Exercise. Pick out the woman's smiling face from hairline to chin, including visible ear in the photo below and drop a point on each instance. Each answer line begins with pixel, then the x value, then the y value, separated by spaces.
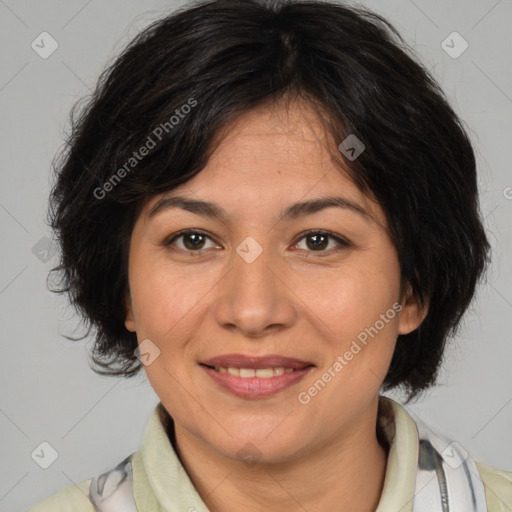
pixel 260 281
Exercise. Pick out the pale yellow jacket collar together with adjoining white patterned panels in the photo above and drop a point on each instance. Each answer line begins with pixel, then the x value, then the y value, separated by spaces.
pixel 421 468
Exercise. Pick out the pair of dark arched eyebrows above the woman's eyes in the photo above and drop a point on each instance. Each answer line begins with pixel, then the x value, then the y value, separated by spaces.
pixel 291 212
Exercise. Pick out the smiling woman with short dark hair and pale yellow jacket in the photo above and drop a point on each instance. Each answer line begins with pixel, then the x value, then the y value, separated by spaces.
pixel 272 209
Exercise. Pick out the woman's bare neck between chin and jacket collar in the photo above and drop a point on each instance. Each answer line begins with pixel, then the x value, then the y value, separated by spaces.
pixel 344 473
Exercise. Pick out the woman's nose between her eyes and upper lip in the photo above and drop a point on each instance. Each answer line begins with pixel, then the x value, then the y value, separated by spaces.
pixel 255 297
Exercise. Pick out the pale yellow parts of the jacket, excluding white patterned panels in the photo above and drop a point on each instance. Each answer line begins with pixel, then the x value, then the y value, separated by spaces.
pixel 161 484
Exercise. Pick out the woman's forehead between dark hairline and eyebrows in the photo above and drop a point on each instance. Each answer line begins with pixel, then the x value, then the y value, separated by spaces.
pixel 276 154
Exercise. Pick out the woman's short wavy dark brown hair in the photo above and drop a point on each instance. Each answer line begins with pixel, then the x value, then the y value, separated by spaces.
pixel 222 58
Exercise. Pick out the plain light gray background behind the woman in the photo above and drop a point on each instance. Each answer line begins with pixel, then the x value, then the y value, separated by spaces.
pixel 49 393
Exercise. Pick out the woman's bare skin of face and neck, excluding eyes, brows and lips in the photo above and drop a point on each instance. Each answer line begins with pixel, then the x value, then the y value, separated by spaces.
pixel 294 300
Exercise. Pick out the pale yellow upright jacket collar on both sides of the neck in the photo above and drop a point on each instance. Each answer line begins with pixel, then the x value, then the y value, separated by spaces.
pixel 161 481
